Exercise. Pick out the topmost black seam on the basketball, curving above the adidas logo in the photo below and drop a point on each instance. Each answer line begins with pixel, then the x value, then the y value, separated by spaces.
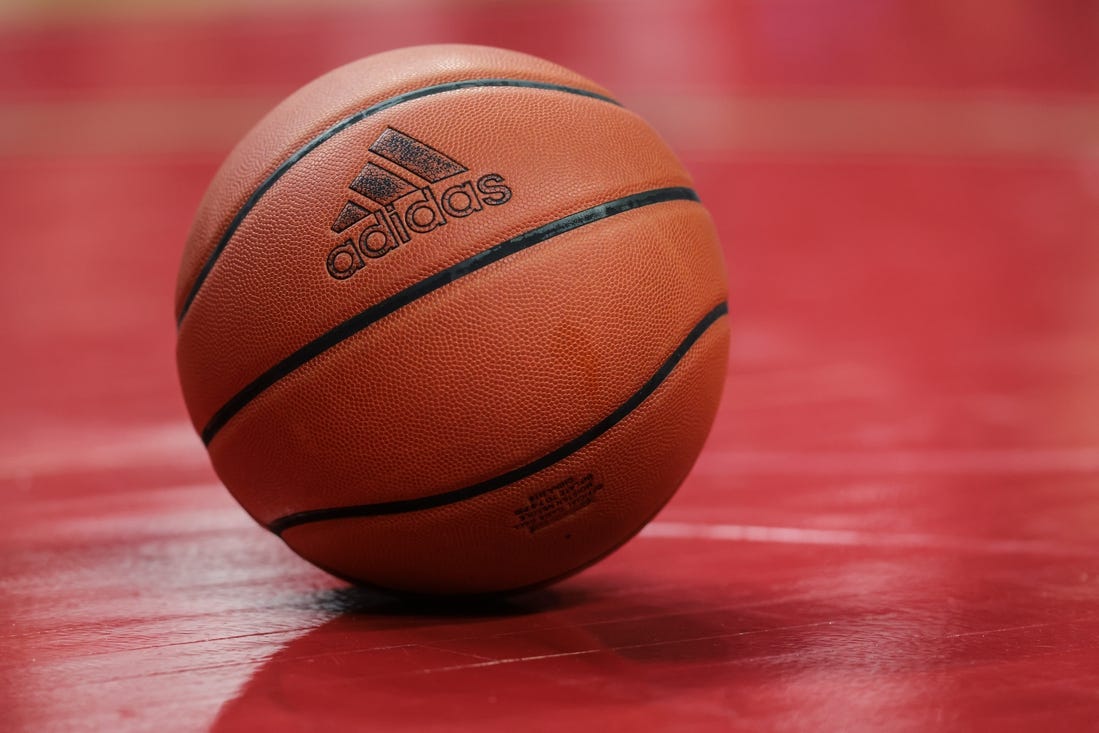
pixel 343 125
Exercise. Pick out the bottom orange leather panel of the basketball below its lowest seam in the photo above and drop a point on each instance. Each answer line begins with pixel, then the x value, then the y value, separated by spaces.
pixel 475 547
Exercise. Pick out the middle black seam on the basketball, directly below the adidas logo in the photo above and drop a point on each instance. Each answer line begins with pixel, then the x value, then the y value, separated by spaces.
pixel 430 284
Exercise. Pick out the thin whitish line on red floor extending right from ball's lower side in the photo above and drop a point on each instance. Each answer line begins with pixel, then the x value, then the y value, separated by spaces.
pixel 860 539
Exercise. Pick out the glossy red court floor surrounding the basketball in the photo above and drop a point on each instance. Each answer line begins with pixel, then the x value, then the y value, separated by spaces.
pixel 894 527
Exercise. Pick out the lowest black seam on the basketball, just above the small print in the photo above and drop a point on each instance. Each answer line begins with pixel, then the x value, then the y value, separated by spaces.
pixel 284 524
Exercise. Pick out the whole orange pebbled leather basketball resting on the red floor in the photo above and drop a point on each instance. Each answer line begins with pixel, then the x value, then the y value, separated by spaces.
pixel 451 321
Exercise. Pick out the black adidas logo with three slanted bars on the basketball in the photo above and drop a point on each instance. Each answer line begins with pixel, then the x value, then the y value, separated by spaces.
pixel 406 198
